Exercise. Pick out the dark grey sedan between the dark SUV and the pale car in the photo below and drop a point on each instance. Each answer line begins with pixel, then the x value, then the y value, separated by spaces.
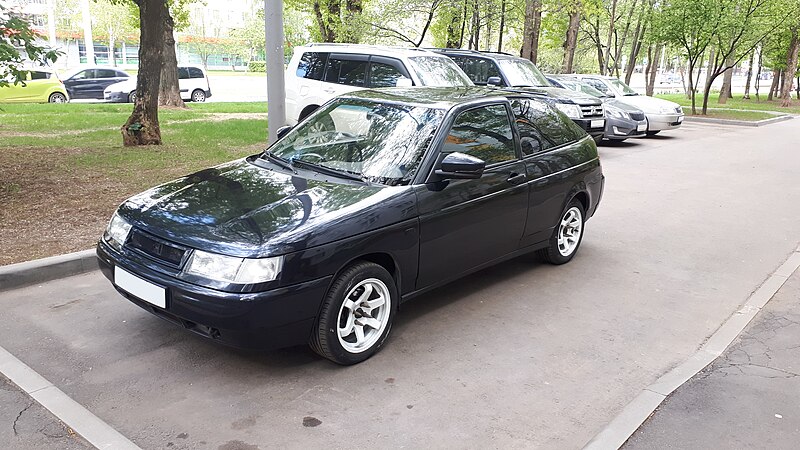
pixel 623 121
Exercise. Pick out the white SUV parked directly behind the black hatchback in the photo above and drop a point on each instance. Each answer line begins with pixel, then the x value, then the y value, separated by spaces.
pixel 320 72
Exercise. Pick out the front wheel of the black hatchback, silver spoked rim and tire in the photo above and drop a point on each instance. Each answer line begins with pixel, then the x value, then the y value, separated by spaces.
pixel 356 315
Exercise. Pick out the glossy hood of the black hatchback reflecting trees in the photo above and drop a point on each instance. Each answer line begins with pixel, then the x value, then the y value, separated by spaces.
pixel 244 210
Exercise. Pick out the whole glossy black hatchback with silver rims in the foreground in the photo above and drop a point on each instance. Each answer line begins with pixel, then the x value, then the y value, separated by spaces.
pixel 375 198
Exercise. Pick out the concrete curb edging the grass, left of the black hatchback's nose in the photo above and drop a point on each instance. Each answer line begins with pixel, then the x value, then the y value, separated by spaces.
pixel 46 269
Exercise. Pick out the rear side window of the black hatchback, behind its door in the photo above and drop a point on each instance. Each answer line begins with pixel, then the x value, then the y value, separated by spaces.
pixel 540 128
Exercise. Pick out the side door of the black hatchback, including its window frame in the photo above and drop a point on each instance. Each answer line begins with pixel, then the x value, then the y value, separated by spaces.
pixel 465 224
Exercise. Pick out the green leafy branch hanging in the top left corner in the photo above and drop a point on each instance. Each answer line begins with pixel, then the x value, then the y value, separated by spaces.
pixel 16 34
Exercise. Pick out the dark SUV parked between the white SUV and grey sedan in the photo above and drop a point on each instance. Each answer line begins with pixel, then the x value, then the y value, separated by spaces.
pixel 501 69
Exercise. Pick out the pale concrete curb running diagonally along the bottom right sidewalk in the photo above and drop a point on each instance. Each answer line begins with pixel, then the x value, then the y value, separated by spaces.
pixel 635 413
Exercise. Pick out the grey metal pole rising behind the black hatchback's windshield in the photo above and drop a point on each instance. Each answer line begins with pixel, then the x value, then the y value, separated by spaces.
pixel 276 92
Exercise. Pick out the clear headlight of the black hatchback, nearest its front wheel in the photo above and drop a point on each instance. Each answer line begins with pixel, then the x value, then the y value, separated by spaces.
pixel 233 270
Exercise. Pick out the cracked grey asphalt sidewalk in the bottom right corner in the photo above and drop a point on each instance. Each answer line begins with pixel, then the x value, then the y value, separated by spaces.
pixel 748 398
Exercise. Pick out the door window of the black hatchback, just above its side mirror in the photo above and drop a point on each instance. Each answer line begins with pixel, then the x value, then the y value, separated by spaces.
pixel 484 133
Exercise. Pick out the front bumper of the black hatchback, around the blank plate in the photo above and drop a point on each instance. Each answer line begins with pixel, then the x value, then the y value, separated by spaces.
pixel 276 318
